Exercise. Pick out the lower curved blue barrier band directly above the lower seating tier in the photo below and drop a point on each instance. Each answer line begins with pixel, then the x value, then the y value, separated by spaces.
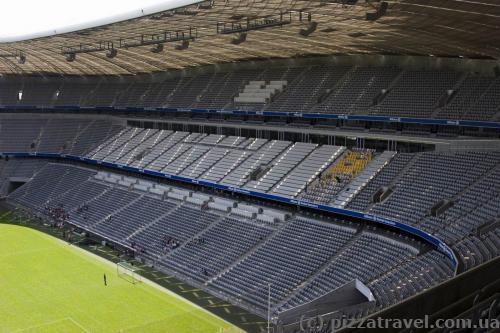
pixel 434 241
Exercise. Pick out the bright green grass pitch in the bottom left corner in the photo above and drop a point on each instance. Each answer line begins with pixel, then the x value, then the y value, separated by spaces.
pixel 47 285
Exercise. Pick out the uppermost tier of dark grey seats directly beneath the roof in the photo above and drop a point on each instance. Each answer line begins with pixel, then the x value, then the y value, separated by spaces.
pixel 431 93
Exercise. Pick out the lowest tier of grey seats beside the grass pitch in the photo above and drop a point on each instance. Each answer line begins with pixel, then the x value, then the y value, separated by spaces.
pixel 229 248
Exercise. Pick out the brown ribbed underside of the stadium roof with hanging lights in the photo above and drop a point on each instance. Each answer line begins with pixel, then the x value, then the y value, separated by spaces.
pixel 223 31
